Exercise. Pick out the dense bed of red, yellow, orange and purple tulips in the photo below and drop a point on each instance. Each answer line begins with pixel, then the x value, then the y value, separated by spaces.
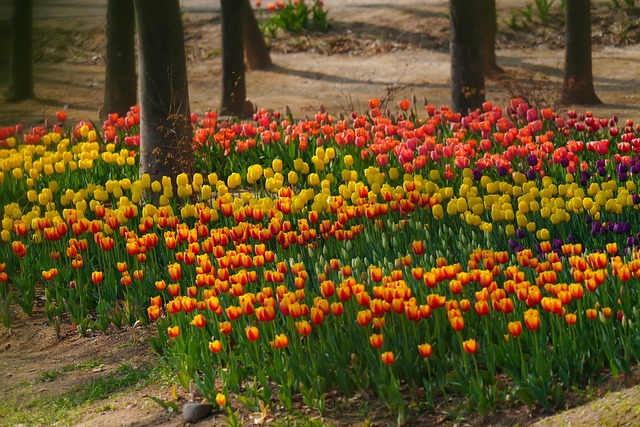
pixel 409 255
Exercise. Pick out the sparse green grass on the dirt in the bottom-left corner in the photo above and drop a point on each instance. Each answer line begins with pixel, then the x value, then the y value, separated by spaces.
pixel 59 409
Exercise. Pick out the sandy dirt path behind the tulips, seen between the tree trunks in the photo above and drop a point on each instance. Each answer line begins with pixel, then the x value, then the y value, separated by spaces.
pixel 304 80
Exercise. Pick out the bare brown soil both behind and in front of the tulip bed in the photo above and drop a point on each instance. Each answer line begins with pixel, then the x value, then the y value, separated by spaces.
pixel 389 49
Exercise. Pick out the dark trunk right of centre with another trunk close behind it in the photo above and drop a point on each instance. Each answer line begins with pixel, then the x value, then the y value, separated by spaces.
pixel 467 72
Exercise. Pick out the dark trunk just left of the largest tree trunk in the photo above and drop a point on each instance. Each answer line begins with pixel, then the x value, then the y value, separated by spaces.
pixel 120 82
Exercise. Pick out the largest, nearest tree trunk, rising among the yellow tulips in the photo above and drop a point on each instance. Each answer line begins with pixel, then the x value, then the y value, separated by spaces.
pixel 165 124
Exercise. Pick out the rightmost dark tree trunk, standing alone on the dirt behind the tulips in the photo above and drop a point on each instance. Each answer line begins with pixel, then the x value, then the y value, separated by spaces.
pixel 578 75
